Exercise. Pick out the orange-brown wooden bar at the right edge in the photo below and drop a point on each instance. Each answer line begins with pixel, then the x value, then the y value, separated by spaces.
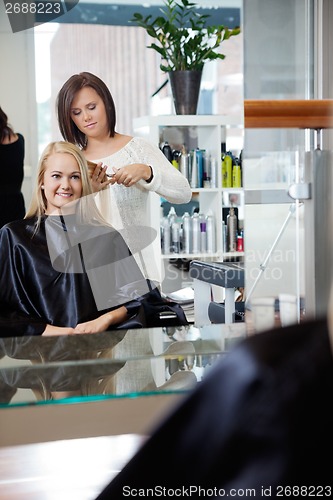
pixel 313 114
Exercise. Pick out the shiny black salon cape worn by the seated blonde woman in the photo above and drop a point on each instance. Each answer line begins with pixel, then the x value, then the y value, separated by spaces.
pixel 35 291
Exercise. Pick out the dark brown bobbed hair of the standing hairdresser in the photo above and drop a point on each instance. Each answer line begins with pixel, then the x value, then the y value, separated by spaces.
pixel 65 98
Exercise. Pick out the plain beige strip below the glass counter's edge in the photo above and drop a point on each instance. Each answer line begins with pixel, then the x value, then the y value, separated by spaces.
pixel 107 417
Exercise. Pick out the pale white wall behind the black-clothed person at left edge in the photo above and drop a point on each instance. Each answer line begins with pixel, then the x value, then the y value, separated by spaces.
pixel 17 90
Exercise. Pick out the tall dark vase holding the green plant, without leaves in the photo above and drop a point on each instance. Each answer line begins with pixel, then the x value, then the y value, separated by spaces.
pixel 185 87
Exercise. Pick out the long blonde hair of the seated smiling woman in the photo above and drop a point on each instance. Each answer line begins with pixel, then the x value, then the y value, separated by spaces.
pixel 87 207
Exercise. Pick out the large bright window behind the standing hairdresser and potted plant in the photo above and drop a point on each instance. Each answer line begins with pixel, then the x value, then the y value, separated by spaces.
pixel 117 53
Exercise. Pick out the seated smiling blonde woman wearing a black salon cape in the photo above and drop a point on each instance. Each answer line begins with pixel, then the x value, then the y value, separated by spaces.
pixel 63 270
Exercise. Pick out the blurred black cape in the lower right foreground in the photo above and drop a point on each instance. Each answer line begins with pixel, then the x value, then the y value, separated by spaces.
pixel 260 421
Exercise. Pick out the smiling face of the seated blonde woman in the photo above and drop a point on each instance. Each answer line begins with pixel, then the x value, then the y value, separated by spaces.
pixel 61 181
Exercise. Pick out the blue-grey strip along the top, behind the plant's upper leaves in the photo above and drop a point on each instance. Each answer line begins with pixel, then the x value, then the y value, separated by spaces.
pixel 226 12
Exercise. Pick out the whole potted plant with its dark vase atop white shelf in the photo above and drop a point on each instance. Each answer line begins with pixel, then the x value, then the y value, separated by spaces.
pixel 185 41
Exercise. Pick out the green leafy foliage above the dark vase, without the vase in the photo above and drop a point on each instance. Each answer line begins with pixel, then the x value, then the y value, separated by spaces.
pixel 183 38
